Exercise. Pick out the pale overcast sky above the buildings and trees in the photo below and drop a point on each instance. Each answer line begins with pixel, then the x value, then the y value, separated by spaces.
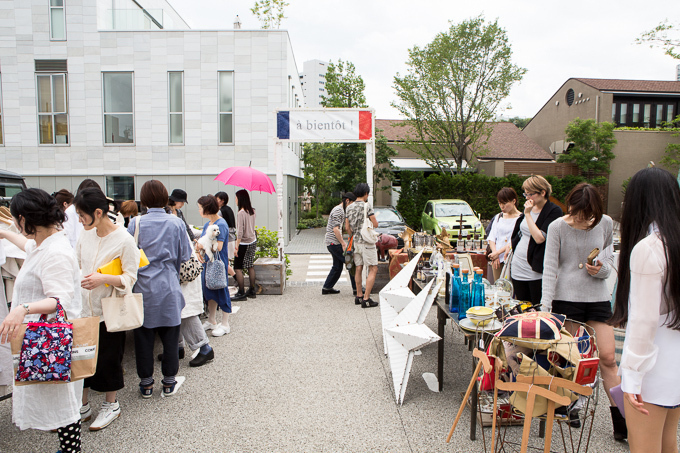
pixel 593 39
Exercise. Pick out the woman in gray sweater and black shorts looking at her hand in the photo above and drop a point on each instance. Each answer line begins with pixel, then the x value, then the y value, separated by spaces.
pixel 578 290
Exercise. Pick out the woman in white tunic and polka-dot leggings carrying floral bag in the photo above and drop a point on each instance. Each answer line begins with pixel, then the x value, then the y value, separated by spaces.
pixel 50 272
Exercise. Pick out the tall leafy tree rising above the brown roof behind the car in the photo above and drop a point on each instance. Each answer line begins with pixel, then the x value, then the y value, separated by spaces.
pixel 452 90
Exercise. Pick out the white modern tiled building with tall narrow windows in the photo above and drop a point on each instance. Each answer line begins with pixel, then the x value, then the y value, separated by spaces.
pixel 123 91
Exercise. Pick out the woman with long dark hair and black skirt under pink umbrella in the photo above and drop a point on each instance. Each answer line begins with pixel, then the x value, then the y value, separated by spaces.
pixel 246 245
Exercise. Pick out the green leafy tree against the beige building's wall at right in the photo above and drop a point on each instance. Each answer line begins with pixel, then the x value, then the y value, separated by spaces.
pixel 593 144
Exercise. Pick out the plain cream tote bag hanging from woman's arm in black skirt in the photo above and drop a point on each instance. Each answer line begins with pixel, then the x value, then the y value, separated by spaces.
pixel 127 312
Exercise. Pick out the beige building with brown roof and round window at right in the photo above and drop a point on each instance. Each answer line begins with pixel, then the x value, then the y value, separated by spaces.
pixel 628 103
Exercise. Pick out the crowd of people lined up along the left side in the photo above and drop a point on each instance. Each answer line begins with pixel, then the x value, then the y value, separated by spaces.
pixel 67 238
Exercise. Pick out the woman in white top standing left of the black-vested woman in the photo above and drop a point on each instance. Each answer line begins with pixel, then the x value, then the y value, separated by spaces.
pixel 501 230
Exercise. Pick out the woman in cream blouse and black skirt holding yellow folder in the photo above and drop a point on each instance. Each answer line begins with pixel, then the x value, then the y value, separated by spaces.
pixel 100 243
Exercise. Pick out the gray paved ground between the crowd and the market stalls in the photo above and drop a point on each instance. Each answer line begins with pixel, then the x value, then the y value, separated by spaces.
pixel 299 372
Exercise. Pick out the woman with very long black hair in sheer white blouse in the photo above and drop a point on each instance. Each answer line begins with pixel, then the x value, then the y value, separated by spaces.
pixel 648 303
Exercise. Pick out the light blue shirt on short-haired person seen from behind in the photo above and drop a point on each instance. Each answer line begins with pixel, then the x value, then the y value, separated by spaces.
pixel 163 238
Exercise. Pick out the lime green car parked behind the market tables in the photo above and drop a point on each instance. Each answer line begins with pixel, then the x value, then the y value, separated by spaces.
pixel 440 214
